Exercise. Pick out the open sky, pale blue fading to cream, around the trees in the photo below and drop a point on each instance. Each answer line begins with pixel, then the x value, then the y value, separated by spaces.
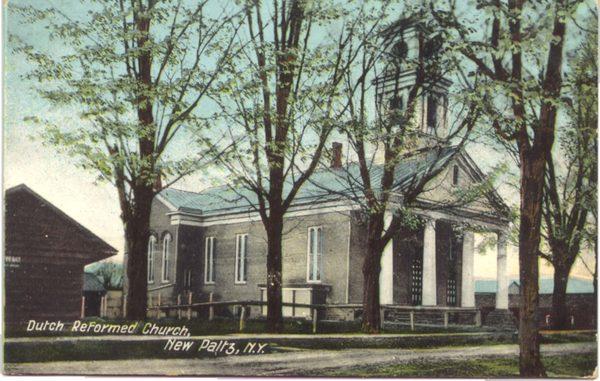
pixel 75 191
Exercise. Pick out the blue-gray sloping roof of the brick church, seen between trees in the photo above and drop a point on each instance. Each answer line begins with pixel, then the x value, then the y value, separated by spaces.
pixel 325 184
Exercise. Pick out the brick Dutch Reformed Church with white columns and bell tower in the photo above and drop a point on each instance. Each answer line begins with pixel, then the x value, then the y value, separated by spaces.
pixel 212 243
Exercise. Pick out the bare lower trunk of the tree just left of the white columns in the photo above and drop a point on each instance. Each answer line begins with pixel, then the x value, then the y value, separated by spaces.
pixel 371 322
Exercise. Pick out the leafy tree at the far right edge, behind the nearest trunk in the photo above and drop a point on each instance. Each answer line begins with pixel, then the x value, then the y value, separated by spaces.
pixel 570 189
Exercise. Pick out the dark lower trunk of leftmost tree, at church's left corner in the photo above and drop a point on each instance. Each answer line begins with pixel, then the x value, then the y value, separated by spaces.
pixel 136 242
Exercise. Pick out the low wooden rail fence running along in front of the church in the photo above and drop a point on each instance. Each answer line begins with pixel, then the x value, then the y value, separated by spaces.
pixel 186 309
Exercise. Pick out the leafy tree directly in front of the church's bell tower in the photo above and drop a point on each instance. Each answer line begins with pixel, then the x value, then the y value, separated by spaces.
pixel 401 141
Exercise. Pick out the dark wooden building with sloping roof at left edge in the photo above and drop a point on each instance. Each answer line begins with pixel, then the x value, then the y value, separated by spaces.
pixel 45 255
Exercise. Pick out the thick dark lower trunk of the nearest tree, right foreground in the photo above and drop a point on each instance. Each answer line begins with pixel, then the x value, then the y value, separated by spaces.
pixel 532 181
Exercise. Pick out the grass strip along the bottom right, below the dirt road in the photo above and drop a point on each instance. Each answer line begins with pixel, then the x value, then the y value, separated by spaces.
pixel 567 366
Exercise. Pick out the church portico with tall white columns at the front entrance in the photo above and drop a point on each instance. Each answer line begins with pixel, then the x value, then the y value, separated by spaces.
pixel 434 264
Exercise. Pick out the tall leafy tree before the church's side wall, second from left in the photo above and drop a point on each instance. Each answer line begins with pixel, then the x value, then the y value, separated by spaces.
pixel 278 106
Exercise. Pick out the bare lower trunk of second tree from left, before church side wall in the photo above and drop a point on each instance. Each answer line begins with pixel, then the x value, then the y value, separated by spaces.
pixel 274 278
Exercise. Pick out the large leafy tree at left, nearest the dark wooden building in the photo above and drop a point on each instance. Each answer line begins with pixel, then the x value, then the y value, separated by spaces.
pixel 134 73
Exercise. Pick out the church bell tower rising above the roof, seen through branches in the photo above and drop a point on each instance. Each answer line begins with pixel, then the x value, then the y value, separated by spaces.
pixel 412 49
